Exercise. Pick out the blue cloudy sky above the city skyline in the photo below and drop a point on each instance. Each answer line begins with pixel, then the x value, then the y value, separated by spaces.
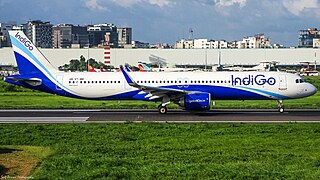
pixel 167 21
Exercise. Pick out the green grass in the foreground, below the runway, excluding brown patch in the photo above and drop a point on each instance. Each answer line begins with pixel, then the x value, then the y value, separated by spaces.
pixel 172 151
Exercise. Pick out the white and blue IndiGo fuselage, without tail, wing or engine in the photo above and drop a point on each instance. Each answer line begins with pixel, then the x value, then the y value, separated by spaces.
pixel 272 85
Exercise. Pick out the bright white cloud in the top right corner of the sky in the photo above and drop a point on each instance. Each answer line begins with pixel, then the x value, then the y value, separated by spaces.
pixel 296 7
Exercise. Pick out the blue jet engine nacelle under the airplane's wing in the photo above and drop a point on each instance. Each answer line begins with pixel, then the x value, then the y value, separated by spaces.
pixel 196 101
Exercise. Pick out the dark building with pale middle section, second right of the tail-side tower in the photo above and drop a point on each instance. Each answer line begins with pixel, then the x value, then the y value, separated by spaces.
pixel 103 35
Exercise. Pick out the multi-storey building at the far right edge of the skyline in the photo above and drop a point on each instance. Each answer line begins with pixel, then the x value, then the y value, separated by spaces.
pixel 309 38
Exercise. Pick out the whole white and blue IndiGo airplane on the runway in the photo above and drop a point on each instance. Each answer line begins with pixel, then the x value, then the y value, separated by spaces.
pixel 193 91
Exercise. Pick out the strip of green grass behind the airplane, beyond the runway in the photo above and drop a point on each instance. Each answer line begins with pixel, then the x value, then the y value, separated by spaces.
pixel 13 97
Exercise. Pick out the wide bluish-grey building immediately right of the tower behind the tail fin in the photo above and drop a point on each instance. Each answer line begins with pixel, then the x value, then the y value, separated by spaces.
pixel 69 36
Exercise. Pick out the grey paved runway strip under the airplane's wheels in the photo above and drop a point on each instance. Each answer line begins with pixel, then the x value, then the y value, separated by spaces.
pixel 173 116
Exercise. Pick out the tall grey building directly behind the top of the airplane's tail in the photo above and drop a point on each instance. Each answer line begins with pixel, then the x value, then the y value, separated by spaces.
pixel 40 33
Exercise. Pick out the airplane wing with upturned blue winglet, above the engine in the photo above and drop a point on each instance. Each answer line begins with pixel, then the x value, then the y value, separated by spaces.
pixel 155 92
